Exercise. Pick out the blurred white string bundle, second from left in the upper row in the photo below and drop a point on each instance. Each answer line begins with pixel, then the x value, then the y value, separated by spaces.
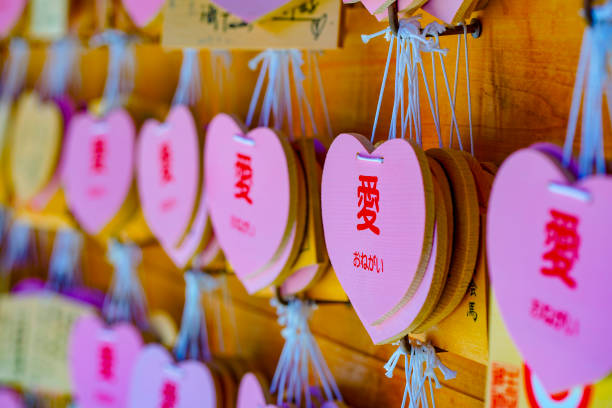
pixel 61 67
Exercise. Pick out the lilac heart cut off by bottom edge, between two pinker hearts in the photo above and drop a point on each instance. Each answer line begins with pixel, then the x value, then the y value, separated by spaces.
pixel 158 382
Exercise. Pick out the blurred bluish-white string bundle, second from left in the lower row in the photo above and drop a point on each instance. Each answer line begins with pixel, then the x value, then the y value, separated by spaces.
pixel 64 264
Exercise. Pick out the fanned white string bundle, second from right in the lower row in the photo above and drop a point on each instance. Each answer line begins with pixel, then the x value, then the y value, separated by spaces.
pixel 291 378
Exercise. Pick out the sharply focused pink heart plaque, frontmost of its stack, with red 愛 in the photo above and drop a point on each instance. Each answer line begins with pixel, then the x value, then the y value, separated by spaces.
pixel 378 220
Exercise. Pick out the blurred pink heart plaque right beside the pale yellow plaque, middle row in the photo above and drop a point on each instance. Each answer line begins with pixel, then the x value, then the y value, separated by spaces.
pixel 98 171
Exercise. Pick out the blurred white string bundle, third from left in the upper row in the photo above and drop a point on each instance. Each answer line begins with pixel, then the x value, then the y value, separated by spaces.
pixel 120 76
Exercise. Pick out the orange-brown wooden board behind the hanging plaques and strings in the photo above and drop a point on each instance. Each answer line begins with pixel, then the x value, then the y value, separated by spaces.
pixel 522 72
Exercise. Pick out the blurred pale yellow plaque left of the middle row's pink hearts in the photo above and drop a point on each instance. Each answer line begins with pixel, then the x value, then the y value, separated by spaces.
pixel 36 144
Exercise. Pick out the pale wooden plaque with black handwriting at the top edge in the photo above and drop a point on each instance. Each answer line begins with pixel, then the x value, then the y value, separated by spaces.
pixel 303 24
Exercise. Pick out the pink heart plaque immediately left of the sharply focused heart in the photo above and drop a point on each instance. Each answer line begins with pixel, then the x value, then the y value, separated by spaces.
pixel 250 180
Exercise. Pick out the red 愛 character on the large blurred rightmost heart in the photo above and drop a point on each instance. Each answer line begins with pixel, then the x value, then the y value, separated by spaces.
pixel 563 241
